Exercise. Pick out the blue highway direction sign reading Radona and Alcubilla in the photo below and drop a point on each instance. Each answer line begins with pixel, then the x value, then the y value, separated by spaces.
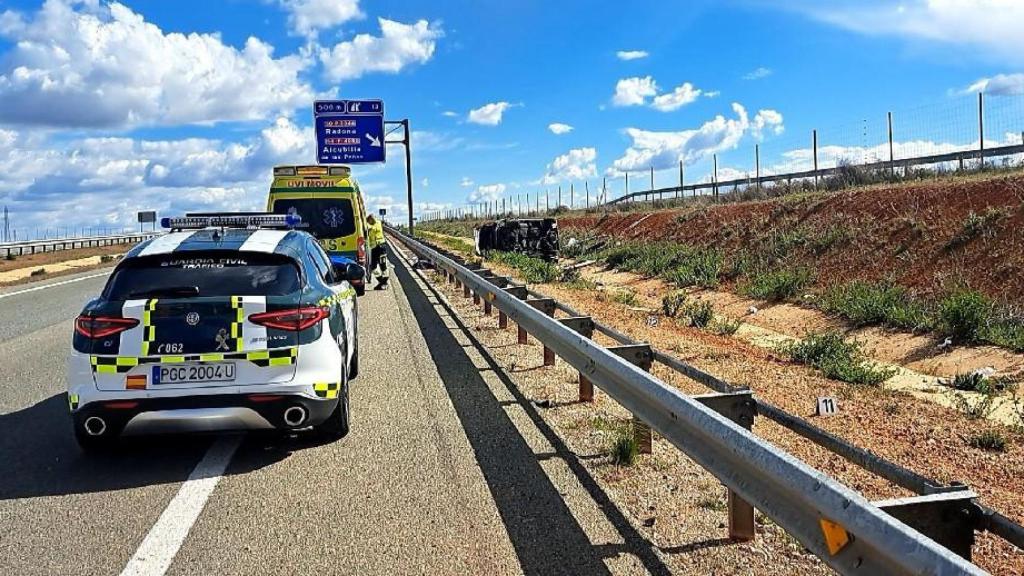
pixel 350 132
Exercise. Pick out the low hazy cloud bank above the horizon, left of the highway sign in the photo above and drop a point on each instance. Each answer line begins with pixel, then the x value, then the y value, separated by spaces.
pixel 107 180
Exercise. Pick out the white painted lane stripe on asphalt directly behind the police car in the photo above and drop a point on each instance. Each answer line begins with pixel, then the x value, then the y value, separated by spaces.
pixel 158 550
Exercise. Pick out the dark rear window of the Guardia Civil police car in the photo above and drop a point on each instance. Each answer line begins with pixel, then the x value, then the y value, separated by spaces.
pixel 205 274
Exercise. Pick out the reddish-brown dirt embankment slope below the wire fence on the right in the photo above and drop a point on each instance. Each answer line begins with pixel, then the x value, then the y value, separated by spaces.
pixel 929 237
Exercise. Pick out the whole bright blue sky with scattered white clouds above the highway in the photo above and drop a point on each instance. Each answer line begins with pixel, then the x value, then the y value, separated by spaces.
pixel 108 108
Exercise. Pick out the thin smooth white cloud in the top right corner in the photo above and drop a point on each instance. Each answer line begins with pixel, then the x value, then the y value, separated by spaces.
pixel 992 27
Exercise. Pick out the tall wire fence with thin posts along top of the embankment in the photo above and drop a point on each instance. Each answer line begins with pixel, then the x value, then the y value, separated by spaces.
pixel 962 134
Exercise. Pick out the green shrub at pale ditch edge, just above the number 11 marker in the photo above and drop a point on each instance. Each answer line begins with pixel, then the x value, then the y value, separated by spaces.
pixel 836 358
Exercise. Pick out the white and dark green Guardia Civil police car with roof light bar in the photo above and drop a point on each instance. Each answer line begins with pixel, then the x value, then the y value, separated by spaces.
pixel 228 322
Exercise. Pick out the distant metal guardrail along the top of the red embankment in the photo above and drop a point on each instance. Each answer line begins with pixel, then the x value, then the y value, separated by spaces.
pixel 659 194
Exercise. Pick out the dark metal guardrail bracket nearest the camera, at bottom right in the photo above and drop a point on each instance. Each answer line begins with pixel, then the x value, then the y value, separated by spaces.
pixel 948 518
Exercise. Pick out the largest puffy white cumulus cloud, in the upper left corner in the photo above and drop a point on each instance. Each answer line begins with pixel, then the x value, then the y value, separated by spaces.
pixel 101 65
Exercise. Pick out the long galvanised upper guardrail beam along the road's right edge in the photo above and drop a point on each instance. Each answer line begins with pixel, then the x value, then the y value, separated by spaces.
pixel 804 502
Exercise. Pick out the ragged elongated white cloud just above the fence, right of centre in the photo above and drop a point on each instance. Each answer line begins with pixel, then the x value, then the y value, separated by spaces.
pixel 666 150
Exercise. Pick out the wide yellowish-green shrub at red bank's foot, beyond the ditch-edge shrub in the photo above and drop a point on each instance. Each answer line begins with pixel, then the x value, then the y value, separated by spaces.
pixel 866 304
